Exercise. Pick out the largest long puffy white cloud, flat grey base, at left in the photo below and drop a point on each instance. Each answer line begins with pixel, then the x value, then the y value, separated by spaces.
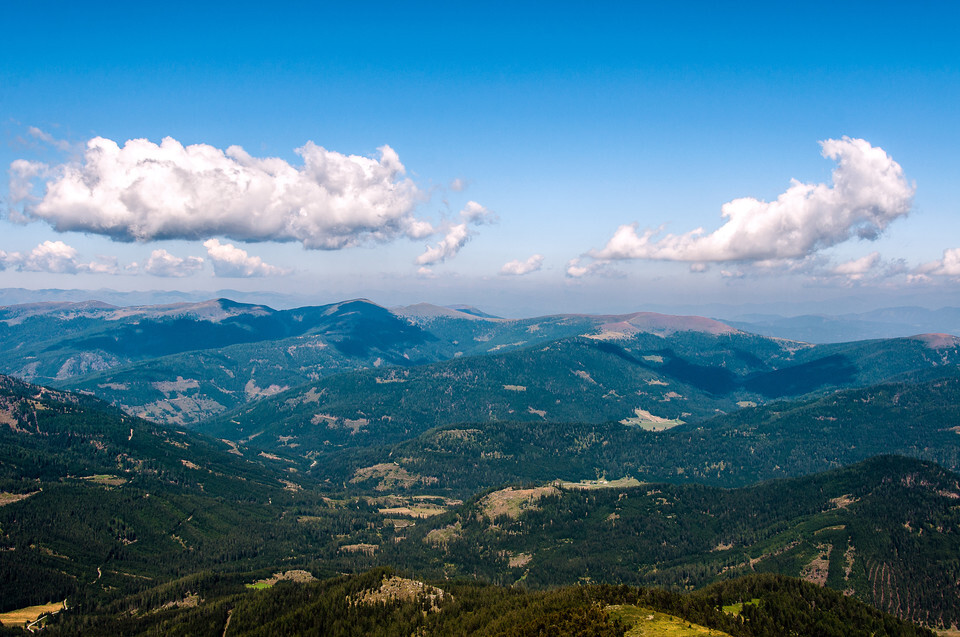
pixel 143 191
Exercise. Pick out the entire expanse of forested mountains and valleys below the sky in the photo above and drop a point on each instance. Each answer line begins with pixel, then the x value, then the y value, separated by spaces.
pixel 162 458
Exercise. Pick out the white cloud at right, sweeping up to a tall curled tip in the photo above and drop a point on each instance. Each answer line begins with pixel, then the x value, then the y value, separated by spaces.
pixel 868 192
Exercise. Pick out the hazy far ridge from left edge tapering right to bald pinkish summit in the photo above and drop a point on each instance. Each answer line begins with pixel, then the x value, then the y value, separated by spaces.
pixel 183 362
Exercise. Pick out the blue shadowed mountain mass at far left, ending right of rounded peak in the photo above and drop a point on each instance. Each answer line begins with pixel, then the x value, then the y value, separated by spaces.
pixel 135 357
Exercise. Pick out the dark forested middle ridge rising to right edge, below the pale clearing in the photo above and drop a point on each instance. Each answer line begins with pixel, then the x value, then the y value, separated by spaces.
pixel 778 440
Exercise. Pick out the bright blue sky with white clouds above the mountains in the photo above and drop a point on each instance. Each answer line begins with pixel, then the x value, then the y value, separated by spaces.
pixel 530 136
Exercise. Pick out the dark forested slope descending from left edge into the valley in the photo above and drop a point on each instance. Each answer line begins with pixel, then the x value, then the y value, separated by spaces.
pixel 95 502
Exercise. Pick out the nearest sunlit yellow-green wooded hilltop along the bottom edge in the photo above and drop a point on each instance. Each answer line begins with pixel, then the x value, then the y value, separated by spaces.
pixel 383 603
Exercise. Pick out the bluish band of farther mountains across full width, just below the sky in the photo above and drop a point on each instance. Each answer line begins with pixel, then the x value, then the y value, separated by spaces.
pixel 187 362
